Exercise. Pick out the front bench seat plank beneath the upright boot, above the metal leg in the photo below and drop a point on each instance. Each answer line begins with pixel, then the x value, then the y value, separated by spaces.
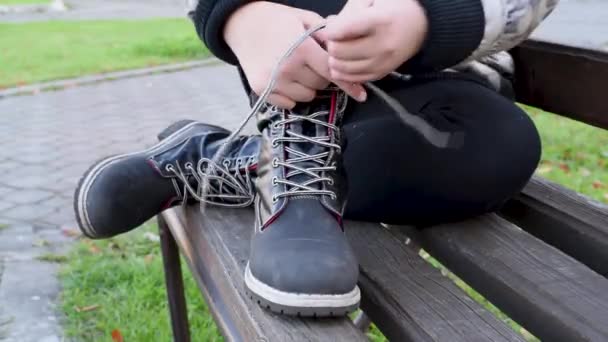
pixel 216 248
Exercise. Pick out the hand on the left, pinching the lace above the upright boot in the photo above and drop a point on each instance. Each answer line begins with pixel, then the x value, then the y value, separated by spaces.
pixel 260 32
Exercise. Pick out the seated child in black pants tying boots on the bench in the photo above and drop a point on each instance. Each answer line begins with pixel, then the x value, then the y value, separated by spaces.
pixel 322 156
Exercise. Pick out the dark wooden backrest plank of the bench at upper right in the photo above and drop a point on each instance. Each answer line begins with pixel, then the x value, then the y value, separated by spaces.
pixel 564 80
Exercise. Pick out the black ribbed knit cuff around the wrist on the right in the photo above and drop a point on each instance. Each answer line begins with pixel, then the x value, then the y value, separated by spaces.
pixel 456 28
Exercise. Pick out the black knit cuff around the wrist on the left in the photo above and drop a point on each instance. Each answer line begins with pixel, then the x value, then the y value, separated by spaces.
pixel 209 19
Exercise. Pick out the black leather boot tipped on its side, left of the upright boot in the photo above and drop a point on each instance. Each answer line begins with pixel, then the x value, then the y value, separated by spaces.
pixel 119 193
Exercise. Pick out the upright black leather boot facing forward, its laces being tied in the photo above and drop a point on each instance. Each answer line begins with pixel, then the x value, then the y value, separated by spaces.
pixel 300 262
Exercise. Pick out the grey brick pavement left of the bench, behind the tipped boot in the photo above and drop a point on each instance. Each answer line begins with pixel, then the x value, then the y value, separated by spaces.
pixel 48 140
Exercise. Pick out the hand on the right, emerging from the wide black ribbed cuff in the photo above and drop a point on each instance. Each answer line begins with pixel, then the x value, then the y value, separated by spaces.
pixel 371 38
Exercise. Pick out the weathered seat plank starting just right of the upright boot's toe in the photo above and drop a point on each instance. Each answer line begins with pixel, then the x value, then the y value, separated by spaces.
pixel 409 300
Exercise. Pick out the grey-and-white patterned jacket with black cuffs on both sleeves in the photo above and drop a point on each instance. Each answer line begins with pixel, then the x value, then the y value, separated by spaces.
pixel 464 35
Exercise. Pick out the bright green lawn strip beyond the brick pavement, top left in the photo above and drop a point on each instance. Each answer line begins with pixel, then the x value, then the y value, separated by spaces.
pixel 42 51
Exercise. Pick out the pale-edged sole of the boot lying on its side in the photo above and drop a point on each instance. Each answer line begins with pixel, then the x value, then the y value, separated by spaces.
pixel 84 184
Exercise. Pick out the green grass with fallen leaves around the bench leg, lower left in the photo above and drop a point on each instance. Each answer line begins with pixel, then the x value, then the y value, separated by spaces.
pixel 118 285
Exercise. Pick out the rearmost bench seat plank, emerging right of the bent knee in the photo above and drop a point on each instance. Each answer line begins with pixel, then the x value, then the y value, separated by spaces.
pixel 565 219
